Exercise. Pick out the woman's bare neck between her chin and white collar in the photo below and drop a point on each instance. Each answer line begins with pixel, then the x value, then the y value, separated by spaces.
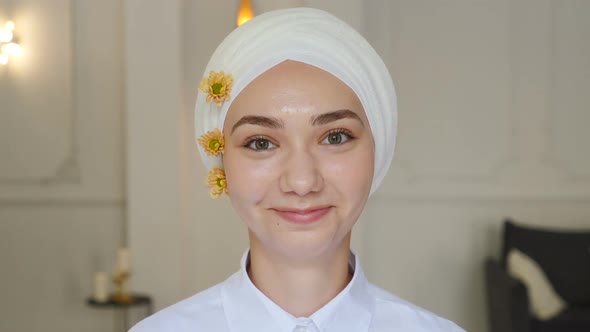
pixel 300 288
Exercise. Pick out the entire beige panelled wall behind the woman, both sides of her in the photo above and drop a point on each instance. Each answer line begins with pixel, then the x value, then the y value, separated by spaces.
pixel 97 148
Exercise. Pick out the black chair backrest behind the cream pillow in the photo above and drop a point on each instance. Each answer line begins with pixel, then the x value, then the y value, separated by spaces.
pixel 564 256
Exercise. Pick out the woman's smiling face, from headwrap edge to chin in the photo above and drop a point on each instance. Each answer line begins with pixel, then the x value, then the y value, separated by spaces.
pixel 299 160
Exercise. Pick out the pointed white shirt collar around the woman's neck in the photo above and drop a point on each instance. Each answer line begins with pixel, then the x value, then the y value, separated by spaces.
pixel 248 309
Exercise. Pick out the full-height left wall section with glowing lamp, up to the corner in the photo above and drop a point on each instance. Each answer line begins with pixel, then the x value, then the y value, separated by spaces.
pixel 61 163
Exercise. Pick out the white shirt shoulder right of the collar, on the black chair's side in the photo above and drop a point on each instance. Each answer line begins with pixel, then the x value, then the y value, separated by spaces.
pixel 391 311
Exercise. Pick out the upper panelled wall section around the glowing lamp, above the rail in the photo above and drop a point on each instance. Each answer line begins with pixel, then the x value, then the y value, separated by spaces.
pixel 63 104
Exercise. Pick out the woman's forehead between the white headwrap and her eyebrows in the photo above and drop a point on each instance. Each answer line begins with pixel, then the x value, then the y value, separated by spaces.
pixel 293 84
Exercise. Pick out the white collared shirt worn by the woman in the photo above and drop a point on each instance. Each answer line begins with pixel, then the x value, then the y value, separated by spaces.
pixel 236 305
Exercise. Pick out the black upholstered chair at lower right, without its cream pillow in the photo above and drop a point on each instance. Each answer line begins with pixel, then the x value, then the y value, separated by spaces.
pixel 565 260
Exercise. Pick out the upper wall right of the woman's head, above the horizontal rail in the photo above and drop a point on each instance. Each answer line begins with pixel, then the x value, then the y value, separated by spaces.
pixel 509 135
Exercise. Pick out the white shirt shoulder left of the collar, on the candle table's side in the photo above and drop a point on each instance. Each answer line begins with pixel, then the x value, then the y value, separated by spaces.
pixel 195 313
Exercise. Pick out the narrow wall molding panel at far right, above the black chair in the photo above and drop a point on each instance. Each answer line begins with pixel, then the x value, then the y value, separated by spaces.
pixel 568 137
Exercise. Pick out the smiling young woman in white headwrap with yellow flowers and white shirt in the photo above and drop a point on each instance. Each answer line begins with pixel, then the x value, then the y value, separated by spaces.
pixel 296 122
